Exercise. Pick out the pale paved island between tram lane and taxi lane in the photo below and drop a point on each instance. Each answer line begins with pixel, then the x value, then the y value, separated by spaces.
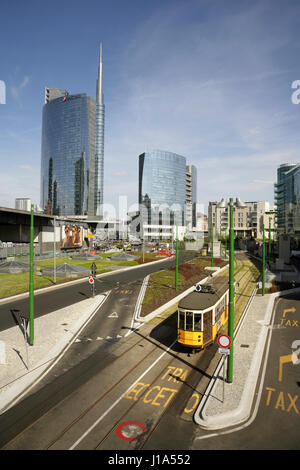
pixel 249 343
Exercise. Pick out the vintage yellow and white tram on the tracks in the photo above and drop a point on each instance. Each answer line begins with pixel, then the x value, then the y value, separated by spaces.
pixel 202 313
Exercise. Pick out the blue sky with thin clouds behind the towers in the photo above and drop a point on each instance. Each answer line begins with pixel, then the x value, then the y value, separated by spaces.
pixel 207 79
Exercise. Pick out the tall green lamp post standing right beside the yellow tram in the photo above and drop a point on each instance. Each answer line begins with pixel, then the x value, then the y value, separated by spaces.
pixel 238 204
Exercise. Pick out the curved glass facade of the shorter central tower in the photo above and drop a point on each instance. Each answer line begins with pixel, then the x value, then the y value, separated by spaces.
pixel 162 188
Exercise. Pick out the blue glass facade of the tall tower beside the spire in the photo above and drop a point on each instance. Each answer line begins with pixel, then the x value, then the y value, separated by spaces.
pixel 68 156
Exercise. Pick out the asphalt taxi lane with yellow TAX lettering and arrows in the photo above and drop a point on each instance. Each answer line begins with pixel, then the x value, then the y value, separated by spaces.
pixel 275 420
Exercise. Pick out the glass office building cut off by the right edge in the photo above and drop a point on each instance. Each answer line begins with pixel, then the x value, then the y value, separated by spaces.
pixel 287 200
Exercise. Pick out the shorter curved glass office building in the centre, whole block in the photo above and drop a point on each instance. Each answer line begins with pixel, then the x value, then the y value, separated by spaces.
pixel 167 194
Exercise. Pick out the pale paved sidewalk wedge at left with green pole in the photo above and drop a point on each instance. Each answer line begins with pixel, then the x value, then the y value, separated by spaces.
pixel 53 334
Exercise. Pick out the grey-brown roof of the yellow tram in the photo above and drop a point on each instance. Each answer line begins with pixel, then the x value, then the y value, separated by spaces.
pixel 202 300
